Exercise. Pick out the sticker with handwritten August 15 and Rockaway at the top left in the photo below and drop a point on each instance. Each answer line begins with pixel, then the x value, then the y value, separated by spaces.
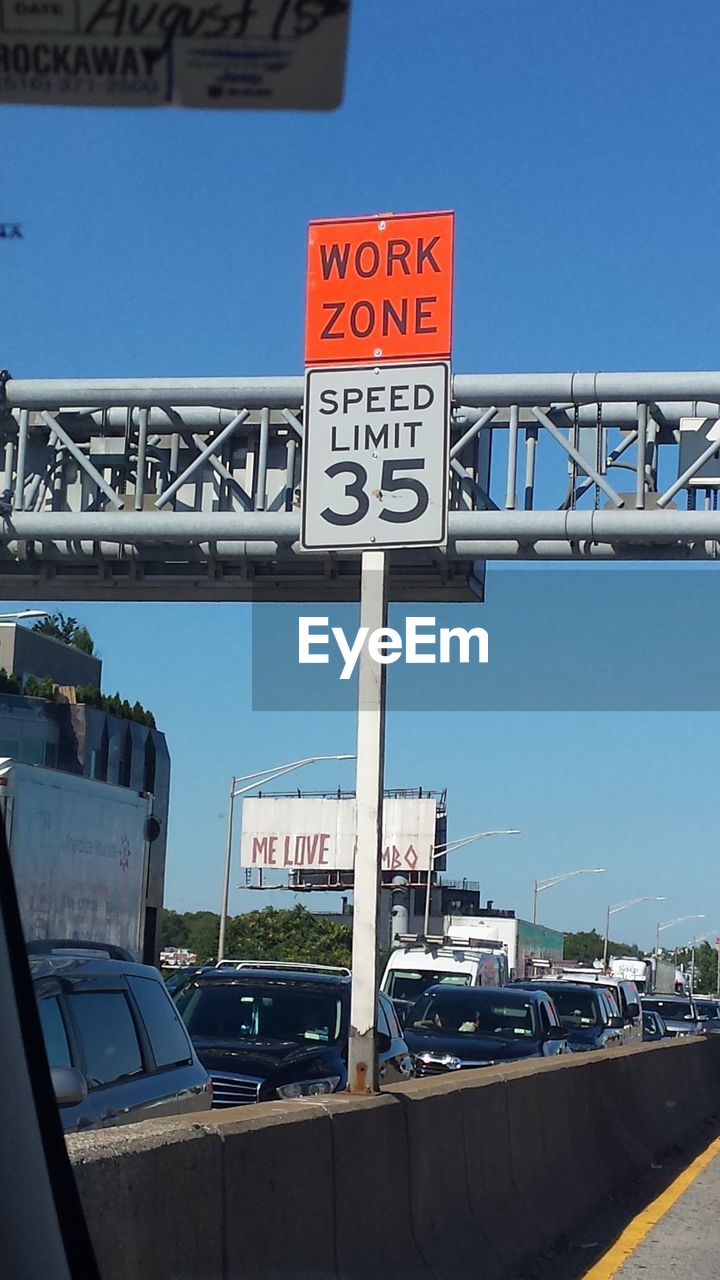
pixel 158 53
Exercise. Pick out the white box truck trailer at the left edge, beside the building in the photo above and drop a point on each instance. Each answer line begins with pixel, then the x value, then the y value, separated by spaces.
pixel 79 851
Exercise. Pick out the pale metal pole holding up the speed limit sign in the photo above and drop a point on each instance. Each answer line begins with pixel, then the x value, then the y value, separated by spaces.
pixel 363 1058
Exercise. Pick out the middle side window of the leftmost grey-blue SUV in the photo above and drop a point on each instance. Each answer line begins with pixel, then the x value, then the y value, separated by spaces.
pixel 108 1035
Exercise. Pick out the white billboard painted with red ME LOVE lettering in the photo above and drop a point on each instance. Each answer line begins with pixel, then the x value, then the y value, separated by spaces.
pixel 308 834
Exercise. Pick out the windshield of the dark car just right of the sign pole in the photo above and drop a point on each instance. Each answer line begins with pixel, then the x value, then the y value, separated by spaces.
pixel 475 1013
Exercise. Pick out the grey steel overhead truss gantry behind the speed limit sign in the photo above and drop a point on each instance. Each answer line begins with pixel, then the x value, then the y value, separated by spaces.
pixel 188 488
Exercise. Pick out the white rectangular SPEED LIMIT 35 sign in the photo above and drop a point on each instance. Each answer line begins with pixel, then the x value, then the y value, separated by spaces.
pixel 376 463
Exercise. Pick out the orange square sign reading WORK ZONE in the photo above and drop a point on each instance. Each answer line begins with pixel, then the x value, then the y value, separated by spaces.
pixel 380 289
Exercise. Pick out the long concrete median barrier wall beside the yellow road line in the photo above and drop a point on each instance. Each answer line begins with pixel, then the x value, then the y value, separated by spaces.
pixel 462 1176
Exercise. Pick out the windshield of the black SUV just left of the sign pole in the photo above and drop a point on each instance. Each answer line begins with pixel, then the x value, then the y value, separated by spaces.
pixel 274 1013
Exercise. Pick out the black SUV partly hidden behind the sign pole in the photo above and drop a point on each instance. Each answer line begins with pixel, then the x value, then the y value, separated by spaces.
pixel 266 1032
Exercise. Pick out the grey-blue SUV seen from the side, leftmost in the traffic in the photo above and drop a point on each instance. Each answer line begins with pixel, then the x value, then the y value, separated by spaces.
pixel 116 1045
